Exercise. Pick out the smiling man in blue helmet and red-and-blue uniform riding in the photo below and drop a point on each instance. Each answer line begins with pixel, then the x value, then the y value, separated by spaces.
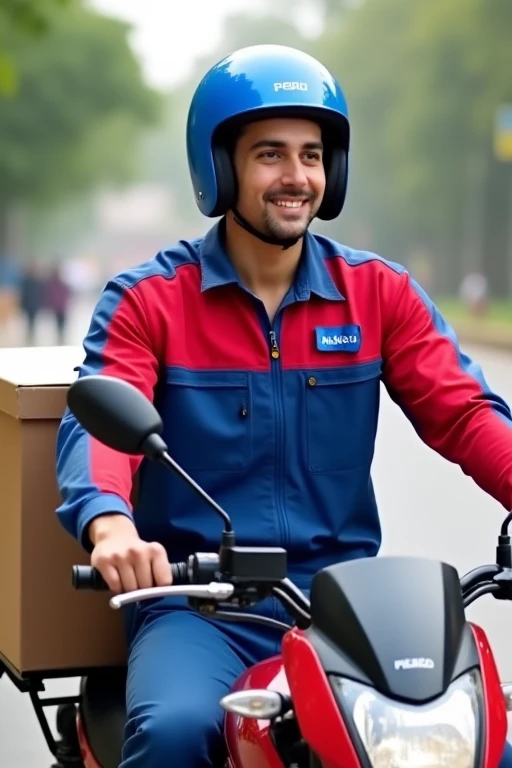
pixel 263 347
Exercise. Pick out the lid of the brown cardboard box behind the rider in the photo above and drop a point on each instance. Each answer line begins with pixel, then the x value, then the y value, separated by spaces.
pixel 34 380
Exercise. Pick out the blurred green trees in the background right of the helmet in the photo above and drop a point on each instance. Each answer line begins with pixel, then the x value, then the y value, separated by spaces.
pixel 423 80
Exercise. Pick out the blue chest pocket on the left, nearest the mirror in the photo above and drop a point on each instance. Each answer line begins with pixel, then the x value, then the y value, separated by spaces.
pixel 207 419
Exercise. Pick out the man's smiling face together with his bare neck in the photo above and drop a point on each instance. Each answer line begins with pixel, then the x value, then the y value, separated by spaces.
pixel 278 164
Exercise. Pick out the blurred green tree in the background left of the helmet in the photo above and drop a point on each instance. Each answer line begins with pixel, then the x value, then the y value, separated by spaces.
pixel 77 111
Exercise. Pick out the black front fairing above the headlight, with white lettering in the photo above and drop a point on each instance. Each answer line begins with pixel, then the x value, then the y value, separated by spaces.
pixel 395 623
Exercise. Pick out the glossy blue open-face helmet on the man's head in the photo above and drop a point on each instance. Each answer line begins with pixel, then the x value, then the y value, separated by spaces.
pixel 259 82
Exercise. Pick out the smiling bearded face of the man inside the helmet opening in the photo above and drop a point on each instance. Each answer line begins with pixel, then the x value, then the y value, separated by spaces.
pixel 280 173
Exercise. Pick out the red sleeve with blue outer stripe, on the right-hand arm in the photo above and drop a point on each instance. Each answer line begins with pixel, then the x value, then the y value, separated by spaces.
pixel 444 393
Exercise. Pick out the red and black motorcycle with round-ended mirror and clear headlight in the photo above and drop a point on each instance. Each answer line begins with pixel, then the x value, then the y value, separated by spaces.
pixel 379 668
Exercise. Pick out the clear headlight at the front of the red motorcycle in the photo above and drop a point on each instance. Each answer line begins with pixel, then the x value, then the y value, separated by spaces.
pixel 444 733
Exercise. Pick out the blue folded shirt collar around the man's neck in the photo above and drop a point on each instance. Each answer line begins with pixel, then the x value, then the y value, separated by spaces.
pixel 312 275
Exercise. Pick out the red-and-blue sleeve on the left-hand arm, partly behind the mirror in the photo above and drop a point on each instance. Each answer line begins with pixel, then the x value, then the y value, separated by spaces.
pixel 94 479
